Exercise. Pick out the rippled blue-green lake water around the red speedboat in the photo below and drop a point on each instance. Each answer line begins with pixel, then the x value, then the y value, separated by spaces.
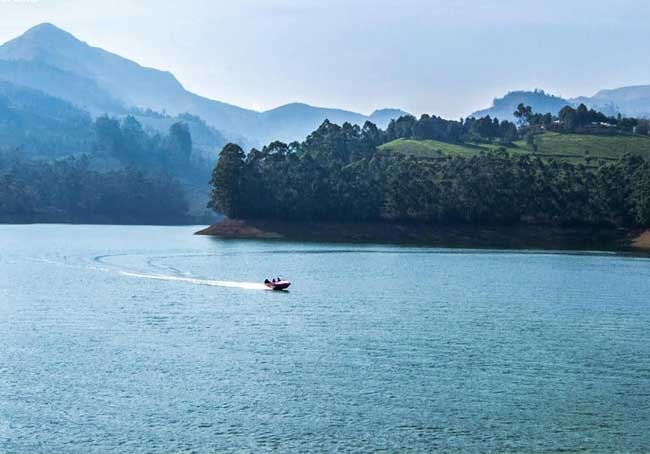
pixel 149 339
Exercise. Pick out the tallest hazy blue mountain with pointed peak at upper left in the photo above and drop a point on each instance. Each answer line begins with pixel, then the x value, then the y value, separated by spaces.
pixel 116 77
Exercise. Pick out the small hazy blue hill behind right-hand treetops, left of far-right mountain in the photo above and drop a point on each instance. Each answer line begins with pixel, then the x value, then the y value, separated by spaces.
pixel 541 102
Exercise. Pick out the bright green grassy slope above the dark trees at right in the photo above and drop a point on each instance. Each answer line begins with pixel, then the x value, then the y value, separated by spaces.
pixel 566 147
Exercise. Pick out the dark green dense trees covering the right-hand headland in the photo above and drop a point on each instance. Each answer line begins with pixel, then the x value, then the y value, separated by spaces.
pixel 338 174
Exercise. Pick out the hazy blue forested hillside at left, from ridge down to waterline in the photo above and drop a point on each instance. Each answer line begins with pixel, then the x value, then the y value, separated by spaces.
pixel 41 131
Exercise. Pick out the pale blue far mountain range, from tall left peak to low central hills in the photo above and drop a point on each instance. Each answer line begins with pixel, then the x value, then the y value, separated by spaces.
pixel 54 61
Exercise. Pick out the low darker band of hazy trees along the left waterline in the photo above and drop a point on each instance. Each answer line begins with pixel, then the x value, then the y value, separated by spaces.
pixel 68 190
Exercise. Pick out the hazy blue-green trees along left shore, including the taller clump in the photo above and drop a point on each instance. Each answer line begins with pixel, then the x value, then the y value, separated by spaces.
pixel 123 174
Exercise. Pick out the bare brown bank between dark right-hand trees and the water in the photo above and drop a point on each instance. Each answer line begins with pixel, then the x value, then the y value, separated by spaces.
pixel 453 236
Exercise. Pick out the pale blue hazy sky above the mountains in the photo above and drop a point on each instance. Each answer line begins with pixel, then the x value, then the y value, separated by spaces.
pixel 448 58
